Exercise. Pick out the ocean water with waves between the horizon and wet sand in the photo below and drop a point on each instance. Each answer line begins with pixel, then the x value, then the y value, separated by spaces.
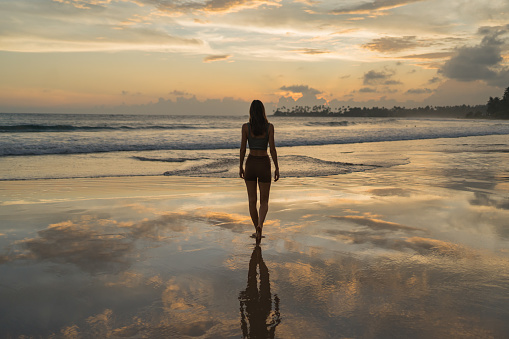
pixel 58 146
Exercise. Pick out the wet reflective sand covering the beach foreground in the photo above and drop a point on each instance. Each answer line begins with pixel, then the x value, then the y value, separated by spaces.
pixel 419 249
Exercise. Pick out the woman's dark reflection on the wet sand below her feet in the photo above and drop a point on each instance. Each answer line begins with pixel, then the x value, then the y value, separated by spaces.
pixel 257 319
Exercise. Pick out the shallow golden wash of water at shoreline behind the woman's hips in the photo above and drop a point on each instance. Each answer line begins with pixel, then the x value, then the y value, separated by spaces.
pixel 300 161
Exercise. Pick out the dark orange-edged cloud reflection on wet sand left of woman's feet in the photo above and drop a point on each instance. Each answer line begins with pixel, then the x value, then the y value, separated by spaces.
pixel 105 245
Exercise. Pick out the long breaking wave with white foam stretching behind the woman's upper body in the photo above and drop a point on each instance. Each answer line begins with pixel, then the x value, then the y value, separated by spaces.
pixel 151 142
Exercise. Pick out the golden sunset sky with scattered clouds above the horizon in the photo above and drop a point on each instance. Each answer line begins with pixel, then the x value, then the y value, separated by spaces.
pixel 216 56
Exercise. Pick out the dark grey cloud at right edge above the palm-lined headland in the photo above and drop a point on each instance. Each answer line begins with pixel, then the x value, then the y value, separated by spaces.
pixel 481 62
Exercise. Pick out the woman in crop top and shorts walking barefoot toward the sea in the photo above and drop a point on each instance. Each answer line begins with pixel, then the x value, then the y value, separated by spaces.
pixel 259 133
